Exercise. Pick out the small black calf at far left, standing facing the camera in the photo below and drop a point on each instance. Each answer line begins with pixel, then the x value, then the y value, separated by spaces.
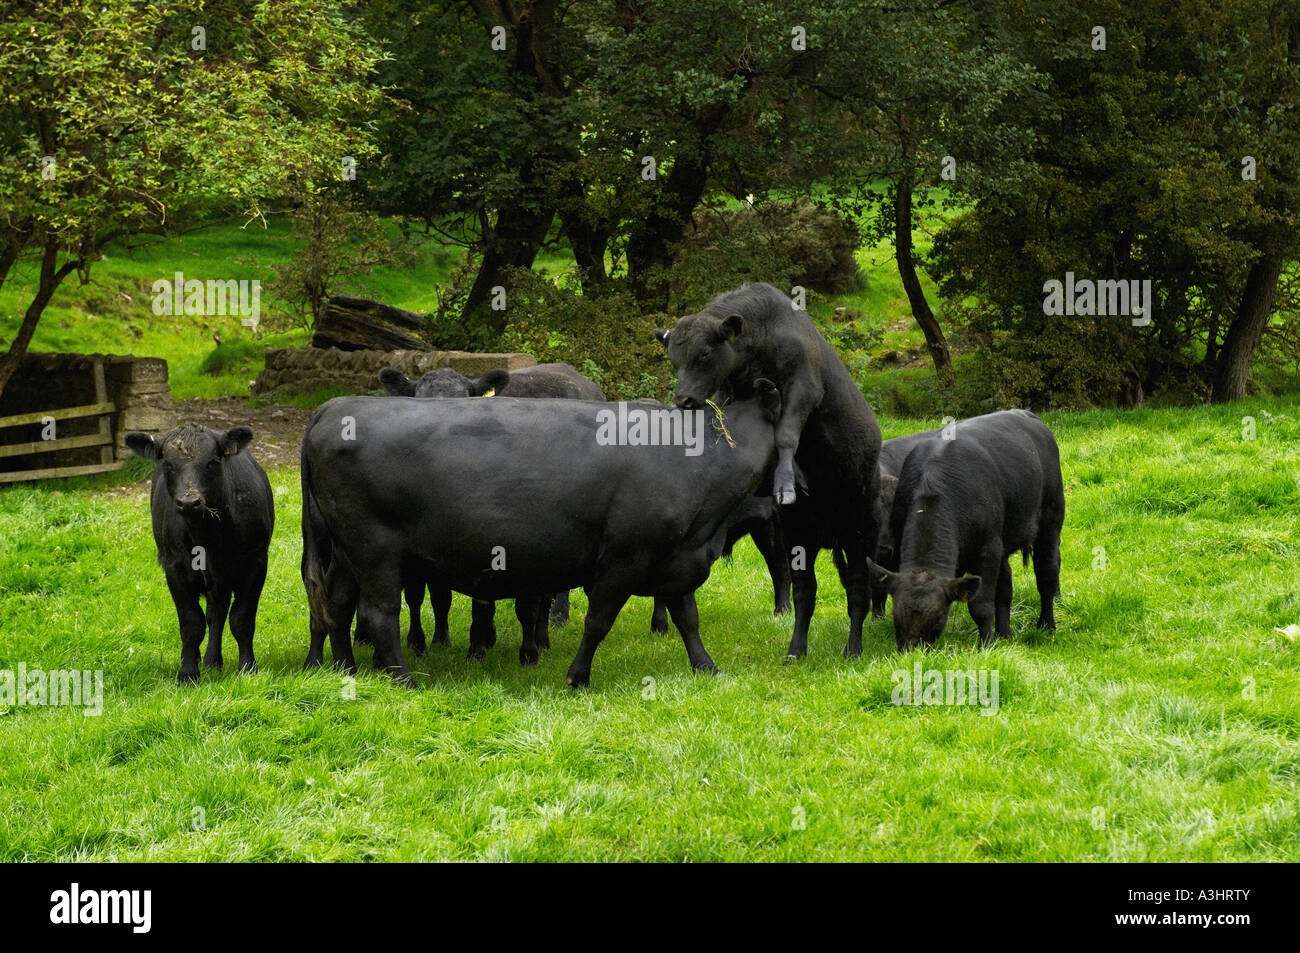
pixel 213 521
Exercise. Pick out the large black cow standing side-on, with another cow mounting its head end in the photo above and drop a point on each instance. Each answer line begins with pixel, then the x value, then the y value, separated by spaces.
pixel 512 499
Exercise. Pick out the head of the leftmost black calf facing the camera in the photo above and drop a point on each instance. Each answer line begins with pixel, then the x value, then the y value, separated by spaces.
pixel 192 460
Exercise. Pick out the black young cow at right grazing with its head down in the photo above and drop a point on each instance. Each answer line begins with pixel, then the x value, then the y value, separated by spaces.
pixel 963 508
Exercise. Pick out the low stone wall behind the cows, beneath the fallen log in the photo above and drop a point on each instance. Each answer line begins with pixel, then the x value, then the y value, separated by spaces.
pixel 304 370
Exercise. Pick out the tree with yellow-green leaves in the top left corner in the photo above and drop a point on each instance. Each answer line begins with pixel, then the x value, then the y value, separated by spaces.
pixel 122 118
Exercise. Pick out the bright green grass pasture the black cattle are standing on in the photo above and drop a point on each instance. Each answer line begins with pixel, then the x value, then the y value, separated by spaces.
pixel 1160 722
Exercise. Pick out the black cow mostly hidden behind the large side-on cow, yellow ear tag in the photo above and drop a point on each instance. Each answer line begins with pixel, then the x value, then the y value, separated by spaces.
pixel 541 380
